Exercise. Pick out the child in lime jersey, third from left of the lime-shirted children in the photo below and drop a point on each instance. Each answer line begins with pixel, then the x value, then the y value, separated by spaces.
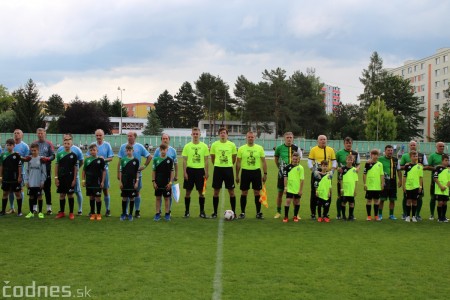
pixel 347 182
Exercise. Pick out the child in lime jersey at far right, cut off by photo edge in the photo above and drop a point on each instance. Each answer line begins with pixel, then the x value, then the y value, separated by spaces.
pixel 441 177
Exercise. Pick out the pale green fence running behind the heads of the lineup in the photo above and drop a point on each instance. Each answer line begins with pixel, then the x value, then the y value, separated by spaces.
pixel 179 141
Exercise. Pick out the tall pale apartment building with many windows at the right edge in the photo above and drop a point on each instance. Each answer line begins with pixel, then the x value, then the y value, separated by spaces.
pixel 429 77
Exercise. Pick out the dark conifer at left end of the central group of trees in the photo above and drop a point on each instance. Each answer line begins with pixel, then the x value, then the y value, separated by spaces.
pixel 167 110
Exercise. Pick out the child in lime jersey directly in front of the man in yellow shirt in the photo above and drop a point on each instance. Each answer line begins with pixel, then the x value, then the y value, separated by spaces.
pixel 322 184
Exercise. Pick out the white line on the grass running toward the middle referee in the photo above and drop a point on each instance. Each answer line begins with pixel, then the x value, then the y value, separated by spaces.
pixel 217 284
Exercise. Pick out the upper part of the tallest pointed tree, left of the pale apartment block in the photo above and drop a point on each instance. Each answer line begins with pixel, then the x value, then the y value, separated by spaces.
pixel 372 79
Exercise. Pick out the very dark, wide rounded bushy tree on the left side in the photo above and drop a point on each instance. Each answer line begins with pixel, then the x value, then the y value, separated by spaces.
pixel 83 118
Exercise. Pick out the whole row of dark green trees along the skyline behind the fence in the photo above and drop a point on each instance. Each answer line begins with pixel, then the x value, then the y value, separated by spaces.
pixel 387 109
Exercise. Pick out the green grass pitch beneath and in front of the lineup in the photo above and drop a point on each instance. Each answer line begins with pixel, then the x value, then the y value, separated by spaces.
pixel 204 259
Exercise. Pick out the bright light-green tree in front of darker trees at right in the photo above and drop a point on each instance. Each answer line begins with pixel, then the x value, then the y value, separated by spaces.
pixel 380 122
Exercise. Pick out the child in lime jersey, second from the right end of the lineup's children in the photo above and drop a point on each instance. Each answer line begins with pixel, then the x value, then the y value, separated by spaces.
pixel 412 185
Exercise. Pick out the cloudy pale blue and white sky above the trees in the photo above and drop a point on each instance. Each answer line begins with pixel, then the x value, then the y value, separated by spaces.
pixel 90 48
